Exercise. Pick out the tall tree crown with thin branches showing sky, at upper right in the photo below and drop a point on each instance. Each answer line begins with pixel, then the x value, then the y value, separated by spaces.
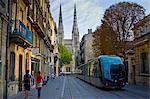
pixel 122 17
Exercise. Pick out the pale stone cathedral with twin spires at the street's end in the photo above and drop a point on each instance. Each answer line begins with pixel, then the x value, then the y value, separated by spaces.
pixel 71 44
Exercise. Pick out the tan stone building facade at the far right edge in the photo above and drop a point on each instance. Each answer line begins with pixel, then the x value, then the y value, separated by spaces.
pixel 142 51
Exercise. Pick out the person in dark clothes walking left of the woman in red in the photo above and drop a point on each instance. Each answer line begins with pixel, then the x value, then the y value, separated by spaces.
pixel 27 83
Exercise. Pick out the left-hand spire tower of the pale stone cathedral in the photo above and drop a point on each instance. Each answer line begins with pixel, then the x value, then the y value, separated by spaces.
pixel 60 28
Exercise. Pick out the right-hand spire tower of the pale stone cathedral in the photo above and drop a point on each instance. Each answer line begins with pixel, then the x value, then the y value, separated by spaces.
pixel 75 34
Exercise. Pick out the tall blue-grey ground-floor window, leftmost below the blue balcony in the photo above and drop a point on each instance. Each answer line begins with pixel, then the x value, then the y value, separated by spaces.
pixel 12 66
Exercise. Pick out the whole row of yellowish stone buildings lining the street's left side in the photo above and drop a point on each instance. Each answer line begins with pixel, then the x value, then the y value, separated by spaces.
pixel 28 41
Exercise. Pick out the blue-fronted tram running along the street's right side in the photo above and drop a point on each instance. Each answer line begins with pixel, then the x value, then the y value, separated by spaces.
pixel 107 71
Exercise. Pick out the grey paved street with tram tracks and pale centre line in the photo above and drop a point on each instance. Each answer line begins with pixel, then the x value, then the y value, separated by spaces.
pixel 69 87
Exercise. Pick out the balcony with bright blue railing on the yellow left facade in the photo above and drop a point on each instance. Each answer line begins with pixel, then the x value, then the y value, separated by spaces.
pixel 20 29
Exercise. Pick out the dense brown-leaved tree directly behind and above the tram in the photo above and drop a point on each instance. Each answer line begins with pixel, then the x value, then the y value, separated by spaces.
pixel 105 41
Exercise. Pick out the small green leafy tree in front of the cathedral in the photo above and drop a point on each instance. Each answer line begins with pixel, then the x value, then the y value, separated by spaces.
pixel 65 55
